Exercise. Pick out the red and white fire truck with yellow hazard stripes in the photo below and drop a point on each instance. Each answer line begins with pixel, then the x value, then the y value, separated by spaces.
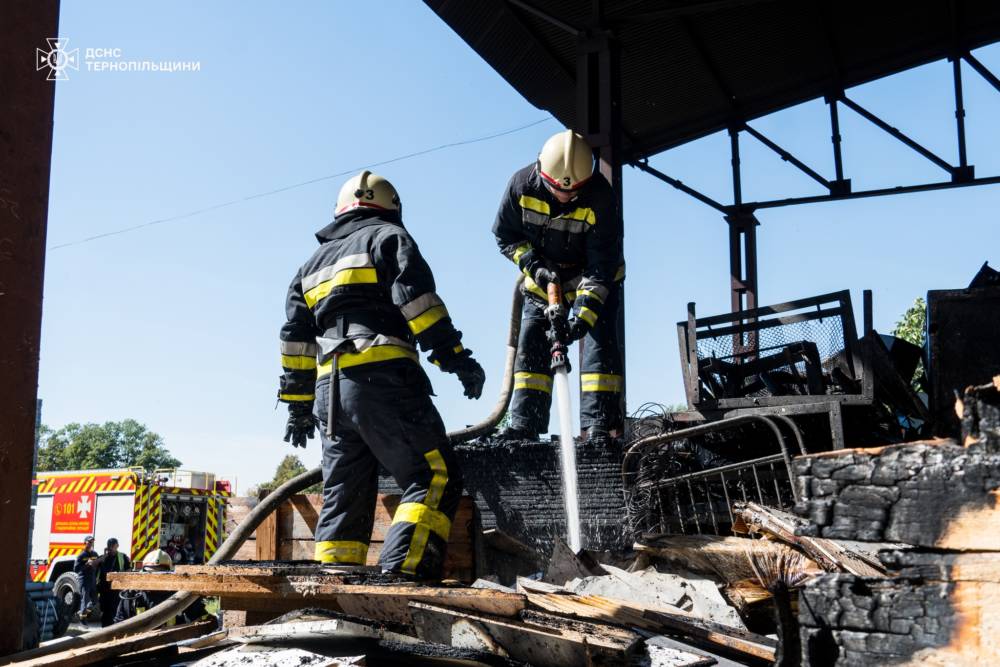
pixel 180 511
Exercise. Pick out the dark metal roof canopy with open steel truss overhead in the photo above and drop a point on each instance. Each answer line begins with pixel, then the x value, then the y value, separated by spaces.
pixel 638 77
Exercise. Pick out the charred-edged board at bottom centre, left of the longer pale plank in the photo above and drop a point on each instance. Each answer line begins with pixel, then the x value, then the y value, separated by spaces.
pixel 541 646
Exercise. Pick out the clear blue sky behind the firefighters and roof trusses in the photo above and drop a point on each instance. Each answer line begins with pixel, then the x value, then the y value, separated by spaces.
pixel 176 324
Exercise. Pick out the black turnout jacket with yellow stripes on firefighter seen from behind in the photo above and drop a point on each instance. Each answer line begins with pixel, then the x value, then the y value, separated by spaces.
pixel 365 296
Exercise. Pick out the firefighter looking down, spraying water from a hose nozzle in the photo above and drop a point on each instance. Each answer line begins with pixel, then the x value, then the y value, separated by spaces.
pixel 558 222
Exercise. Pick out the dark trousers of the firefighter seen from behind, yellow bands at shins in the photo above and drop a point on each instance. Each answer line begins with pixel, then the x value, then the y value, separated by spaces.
pixel 383 414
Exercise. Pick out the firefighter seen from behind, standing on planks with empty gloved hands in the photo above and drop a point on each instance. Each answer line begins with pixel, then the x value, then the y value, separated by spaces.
pixel 356 310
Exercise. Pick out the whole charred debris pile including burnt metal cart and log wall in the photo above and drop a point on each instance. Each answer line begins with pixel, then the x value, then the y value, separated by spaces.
pixel 828 498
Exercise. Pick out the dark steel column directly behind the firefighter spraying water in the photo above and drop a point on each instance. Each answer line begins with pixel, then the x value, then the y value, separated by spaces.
pixel 599 118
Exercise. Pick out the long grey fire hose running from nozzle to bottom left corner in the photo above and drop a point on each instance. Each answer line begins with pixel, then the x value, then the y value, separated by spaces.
pixel 178 602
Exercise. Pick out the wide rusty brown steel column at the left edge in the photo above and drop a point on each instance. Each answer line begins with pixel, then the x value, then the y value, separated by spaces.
pixel 26 104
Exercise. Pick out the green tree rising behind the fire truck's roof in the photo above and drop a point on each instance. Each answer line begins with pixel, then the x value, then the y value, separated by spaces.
pixel 109 445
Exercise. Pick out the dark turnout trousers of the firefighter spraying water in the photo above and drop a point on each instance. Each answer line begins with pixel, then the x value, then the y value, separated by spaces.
pixel 601 379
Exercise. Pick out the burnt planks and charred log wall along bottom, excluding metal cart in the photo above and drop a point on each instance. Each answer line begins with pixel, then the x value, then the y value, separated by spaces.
pixel 889 558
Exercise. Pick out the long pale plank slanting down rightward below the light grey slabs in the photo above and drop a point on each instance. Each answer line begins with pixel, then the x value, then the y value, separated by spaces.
pixel 593 607
